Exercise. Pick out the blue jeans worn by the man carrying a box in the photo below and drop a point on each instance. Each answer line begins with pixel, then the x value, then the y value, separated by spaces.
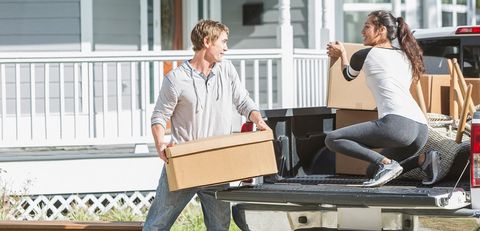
pixel 167 206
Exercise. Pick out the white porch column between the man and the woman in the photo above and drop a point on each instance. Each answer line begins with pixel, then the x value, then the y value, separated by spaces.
pixel 285 43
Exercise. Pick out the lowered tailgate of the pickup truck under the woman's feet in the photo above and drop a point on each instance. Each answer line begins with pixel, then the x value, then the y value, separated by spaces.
pixel 348 191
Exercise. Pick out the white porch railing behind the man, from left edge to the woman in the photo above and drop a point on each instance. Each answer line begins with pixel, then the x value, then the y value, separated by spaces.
pixel 57 99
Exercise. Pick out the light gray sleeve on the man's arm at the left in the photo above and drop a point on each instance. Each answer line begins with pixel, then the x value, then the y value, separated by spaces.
pixel 166 102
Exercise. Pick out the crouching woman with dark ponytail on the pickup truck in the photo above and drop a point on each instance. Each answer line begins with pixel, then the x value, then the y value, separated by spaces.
pixel 401 128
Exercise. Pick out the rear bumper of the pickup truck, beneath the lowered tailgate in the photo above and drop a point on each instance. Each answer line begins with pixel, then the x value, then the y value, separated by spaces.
pixel 250 216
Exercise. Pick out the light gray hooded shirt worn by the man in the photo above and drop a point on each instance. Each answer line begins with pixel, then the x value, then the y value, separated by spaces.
pixel 201 106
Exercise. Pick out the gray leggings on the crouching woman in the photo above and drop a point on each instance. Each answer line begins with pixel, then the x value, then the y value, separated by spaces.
pixel 399 137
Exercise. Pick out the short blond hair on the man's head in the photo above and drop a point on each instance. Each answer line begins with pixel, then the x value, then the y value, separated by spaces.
pixel 206 29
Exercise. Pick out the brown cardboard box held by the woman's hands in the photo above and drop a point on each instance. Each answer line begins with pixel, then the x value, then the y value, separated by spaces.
pixel 345 94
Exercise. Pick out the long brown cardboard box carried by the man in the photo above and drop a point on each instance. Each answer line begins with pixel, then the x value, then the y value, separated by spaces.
pixel 220 159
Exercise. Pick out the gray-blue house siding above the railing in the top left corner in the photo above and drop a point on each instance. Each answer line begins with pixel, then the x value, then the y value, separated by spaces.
pixel 39 25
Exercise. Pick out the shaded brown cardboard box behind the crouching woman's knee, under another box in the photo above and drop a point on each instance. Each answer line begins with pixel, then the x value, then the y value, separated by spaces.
pixel 345 164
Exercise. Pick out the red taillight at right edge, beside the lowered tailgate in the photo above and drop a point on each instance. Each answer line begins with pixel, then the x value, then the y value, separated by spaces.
pixel 475 151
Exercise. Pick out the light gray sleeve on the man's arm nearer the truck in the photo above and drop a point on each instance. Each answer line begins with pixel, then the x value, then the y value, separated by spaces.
pixel 242 101
